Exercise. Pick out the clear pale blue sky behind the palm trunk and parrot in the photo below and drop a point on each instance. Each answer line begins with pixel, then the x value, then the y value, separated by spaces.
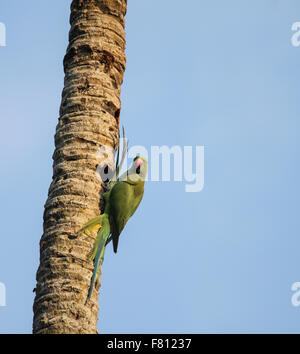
pixel 219 74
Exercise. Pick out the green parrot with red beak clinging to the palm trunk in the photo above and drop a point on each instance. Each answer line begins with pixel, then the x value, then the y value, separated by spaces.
pixel 121 201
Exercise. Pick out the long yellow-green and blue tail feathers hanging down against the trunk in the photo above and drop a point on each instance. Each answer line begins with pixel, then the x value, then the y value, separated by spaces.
pixel 97 253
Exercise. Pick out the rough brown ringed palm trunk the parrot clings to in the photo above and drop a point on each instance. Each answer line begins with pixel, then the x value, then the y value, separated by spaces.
pixel 94 65
